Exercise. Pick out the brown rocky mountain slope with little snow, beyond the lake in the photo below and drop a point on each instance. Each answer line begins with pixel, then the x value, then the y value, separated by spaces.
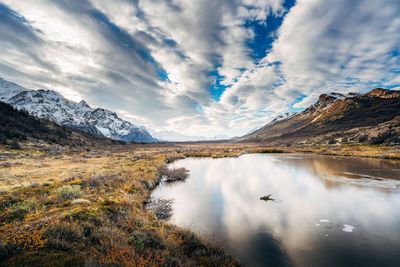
pixel 373 118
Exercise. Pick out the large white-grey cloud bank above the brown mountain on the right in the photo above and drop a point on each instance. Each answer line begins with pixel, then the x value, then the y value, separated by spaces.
pixel 322 46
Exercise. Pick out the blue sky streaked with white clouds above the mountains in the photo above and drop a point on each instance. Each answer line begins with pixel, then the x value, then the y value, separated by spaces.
pixel 200 67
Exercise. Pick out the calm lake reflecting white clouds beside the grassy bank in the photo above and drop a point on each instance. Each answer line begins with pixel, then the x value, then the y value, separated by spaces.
pixel 326 211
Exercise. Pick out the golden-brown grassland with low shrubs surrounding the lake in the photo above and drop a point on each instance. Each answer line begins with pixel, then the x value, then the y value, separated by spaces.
pixel 85 207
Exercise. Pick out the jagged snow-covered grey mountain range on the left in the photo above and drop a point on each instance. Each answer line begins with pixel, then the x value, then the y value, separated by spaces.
pixel 49 104
